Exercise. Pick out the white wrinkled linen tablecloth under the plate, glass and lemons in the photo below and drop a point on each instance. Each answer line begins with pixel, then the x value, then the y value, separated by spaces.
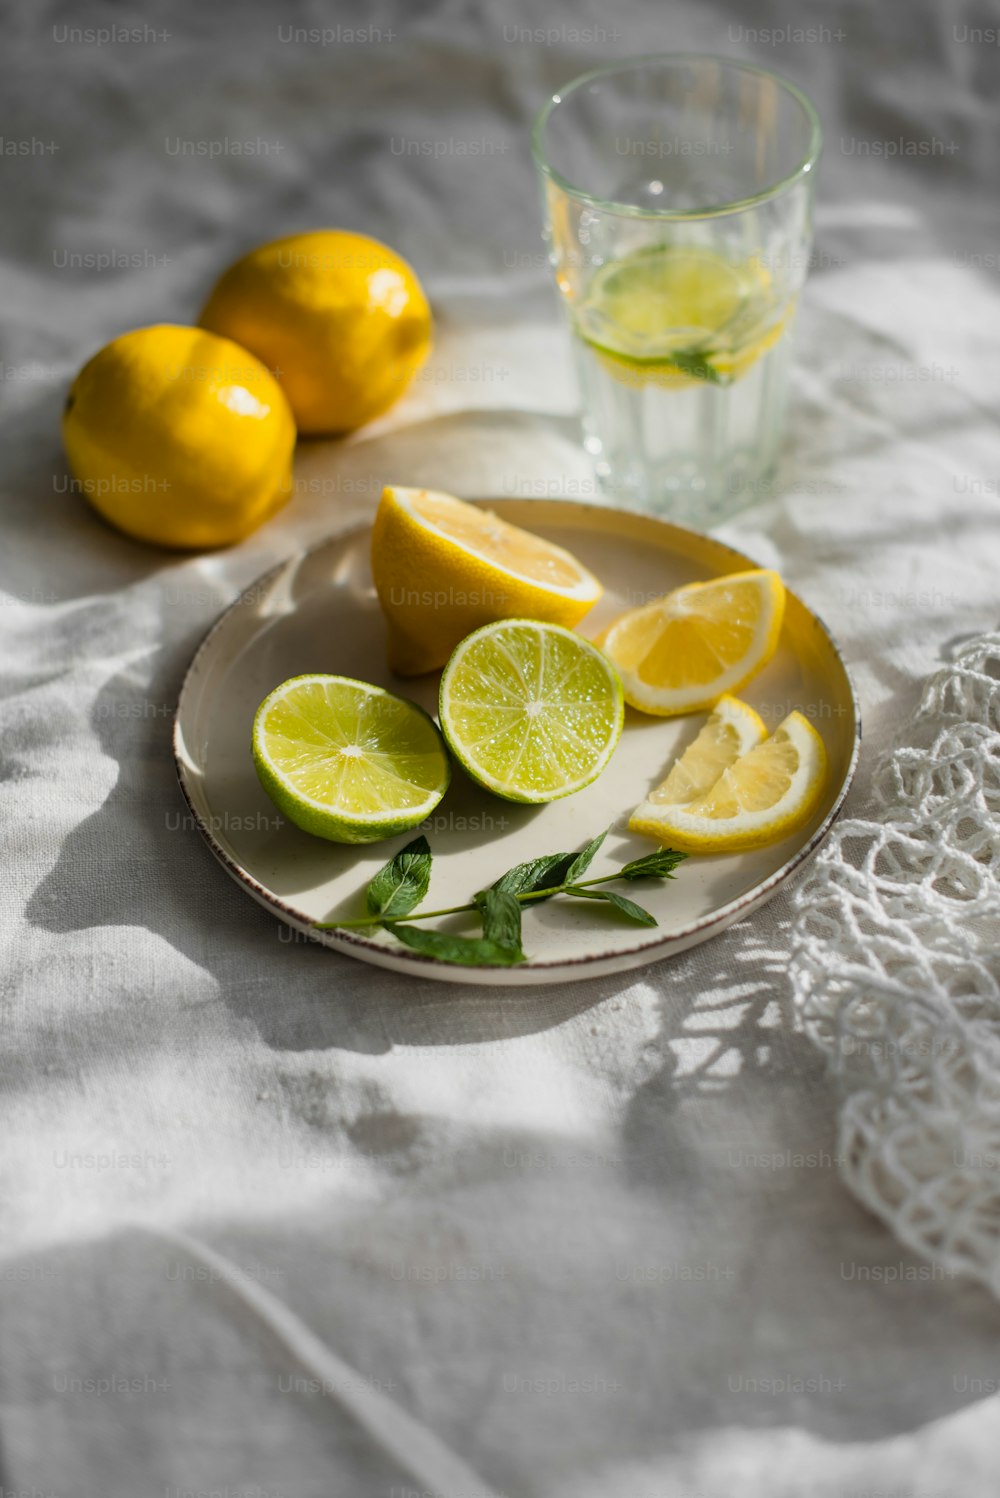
pixel 592 1238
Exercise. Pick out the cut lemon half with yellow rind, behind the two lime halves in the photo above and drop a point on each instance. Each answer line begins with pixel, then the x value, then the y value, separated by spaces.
pixel 444 568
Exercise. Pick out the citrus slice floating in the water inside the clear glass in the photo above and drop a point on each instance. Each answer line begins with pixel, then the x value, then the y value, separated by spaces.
pixel 677 315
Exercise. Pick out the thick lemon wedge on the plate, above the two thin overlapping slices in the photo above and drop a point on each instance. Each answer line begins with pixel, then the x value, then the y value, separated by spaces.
pixel 685 651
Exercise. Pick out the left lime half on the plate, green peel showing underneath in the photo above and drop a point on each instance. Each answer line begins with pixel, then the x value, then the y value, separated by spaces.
pixel 348 762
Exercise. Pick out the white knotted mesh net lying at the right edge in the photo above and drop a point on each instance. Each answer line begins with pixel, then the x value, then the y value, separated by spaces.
pixel 896 971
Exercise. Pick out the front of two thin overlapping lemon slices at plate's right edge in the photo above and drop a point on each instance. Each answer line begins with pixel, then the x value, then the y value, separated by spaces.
pixel 763 798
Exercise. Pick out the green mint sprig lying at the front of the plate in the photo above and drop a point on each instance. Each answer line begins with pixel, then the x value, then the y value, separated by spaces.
pixel 400 886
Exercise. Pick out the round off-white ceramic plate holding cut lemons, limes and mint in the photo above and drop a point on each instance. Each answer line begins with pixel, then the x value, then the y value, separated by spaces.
pixel 318 612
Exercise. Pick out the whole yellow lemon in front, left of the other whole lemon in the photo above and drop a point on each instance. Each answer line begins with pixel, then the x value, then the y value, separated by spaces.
pixel 180 438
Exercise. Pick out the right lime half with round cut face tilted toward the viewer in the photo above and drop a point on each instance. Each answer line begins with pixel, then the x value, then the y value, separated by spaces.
pixel 531 711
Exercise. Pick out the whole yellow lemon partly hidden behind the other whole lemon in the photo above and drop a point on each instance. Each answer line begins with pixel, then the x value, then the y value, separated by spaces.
pixel 341 320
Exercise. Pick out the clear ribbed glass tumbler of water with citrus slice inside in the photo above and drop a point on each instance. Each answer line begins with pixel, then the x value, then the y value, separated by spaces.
pixel 677 197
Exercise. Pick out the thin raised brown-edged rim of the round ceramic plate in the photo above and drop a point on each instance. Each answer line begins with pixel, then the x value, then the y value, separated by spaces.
pixel 600 964
